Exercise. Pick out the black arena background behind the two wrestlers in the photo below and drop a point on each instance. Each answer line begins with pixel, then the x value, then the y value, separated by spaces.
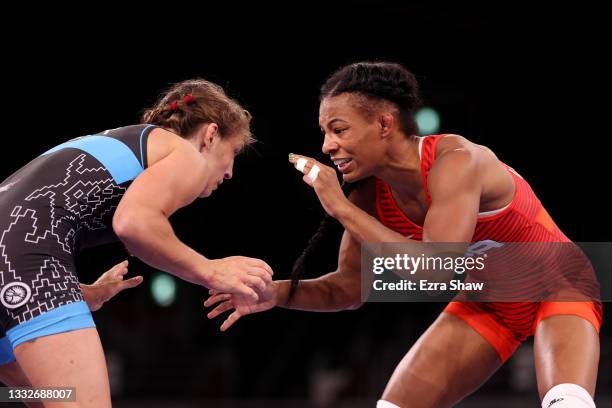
pixel 531 84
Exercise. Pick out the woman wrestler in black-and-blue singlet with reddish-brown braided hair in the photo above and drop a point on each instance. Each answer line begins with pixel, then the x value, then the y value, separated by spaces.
pixel 122 183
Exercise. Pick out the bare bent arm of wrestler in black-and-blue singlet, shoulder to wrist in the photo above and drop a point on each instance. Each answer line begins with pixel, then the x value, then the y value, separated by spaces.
pixel 141 219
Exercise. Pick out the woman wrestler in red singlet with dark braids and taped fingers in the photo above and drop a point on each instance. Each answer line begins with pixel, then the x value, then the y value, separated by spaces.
pixel 440 188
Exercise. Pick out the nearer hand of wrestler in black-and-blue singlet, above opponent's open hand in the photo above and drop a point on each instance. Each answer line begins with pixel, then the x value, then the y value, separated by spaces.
pixel 238 275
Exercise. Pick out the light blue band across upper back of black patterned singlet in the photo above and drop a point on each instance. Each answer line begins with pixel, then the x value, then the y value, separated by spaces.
pixel 115 155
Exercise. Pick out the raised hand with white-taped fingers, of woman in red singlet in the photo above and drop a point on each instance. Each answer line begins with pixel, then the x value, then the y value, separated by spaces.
pixel 324 180
